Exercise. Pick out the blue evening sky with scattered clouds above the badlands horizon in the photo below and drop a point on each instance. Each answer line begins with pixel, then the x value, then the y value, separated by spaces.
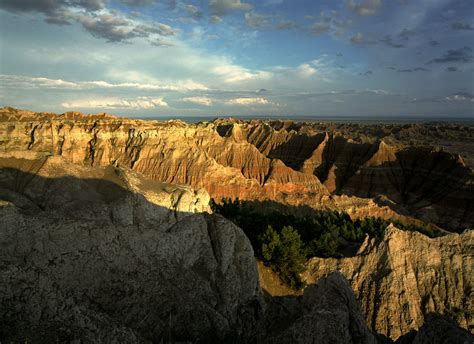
pixel 373 58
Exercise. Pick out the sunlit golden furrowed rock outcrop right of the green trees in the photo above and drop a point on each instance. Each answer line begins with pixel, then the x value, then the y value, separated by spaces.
pixel 406 276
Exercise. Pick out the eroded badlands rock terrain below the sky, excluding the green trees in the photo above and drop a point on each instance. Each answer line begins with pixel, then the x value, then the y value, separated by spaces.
pixel 107 235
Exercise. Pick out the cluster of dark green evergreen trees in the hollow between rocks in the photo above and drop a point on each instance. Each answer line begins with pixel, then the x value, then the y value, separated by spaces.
pixel 284 242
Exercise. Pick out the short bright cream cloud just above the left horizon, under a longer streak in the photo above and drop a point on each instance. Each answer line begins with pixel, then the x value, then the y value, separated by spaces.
pixel 115 103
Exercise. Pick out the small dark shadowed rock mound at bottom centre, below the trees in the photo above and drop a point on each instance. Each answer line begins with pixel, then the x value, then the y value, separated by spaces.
pixel 327 313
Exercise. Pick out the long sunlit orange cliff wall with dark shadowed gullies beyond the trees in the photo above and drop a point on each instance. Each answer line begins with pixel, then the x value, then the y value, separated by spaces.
pixel 288 163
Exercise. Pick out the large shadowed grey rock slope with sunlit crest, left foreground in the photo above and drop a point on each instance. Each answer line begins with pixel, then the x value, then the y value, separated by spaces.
pixel 115 257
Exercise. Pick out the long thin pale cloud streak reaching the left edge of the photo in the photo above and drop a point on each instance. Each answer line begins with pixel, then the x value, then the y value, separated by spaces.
pixel 25 82
